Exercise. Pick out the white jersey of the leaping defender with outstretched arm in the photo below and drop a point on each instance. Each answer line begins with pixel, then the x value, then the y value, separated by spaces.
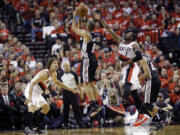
pixel 126 51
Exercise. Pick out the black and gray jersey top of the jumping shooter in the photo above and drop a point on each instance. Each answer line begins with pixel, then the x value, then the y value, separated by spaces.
pixel 87 49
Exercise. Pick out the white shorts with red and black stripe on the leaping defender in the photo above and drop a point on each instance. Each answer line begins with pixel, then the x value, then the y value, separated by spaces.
pixel 130 74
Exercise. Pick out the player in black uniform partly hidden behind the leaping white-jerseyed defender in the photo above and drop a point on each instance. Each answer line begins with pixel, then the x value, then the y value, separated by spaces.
pixel 152 87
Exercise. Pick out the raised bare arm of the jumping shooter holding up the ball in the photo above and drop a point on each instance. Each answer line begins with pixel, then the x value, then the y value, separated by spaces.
pixel 81 32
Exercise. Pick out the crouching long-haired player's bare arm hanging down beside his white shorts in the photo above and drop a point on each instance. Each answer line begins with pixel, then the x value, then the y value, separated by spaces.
pixel 41 76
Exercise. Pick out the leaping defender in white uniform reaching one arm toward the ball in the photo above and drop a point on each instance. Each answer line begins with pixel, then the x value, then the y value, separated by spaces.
pixel 129 54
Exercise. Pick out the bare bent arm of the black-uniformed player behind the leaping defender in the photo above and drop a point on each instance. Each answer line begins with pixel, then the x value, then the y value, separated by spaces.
pixel 146 74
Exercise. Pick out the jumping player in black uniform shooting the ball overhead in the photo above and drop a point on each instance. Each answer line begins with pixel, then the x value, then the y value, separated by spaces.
pixel 89 62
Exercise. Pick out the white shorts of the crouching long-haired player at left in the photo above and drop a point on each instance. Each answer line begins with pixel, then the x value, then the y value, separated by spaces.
pixel 37 99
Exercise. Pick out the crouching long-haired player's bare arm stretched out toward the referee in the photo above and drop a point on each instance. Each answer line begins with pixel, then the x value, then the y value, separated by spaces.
pixel 61 85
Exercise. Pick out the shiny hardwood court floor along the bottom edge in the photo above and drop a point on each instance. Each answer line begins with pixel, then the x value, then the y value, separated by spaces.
pixel 170 130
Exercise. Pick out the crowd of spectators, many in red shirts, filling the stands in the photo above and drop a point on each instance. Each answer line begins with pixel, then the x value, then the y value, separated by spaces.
pixel 18 66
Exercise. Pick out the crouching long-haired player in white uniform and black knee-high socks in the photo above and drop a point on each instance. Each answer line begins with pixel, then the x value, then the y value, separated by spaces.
pixel 34 90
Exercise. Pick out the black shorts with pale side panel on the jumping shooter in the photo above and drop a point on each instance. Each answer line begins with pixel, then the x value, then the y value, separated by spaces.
pixel 88 69
